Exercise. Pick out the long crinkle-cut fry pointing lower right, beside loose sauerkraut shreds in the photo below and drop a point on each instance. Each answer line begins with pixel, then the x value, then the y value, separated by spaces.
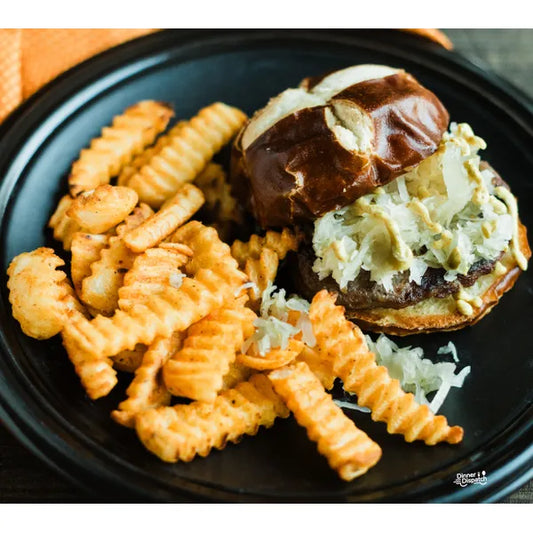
pixel 344 343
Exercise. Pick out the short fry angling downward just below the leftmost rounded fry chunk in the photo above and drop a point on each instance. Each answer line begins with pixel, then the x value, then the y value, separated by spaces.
pixel 95 371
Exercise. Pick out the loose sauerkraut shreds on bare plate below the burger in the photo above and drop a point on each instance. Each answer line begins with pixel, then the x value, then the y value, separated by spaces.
pixel 415 373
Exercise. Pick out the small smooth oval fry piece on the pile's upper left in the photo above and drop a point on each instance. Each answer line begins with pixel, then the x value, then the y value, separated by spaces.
pixel 103 208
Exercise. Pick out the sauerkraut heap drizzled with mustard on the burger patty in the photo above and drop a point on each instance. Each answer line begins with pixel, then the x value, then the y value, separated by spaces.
pixel 443 213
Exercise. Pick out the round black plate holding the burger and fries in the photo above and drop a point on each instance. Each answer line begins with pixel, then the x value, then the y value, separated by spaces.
pixel 40 397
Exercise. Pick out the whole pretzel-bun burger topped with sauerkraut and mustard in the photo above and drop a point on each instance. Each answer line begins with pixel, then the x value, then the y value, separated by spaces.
pixel 401 217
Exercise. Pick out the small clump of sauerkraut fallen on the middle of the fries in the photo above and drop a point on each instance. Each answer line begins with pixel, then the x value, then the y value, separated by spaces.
pixel 272 328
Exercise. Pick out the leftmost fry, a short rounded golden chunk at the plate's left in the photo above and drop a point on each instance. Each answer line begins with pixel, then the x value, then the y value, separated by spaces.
pixel 40 295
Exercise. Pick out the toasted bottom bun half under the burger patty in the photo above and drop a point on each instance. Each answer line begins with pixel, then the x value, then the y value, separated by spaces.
pixel 441 314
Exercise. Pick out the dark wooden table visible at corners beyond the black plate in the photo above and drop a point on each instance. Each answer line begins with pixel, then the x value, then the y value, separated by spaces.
pixel 24 478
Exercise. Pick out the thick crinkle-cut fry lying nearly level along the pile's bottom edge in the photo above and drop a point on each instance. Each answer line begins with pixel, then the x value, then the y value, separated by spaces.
pixel 181 432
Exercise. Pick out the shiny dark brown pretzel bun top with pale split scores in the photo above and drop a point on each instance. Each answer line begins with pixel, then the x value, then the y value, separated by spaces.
pixel 322 145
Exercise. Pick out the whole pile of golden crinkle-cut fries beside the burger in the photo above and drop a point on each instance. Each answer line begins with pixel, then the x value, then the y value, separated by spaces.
pixel 157 293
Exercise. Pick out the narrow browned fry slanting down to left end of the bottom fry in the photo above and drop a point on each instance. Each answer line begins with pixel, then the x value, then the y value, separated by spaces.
pixel 147 389
